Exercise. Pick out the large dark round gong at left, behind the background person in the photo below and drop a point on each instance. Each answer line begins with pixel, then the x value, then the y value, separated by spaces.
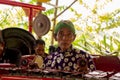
pixel 20 39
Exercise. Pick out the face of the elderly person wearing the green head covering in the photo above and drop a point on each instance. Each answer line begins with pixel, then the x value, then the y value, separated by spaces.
pixel 65 37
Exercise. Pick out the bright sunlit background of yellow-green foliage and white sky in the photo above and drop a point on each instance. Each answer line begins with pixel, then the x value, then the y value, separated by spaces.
pixel 97 22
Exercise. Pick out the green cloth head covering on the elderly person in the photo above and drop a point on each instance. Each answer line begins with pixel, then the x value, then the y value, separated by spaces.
pixel 64 23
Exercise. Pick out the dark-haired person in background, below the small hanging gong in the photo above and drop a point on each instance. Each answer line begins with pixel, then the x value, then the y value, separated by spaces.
pixel 39 54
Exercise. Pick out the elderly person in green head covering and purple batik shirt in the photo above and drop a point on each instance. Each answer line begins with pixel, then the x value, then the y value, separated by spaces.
pixel 67 58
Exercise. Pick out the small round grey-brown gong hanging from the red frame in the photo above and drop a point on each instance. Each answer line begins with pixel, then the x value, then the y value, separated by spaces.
pixel 41 25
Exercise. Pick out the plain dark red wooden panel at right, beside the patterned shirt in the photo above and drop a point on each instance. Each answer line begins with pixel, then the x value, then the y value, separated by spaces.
pixel 107 64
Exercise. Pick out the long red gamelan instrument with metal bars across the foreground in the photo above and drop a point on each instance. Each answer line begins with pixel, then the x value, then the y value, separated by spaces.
pixel 20 73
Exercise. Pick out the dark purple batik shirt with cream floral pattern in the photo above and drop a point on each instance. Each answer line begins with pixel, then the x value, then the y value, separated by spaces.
pixel 68 60
